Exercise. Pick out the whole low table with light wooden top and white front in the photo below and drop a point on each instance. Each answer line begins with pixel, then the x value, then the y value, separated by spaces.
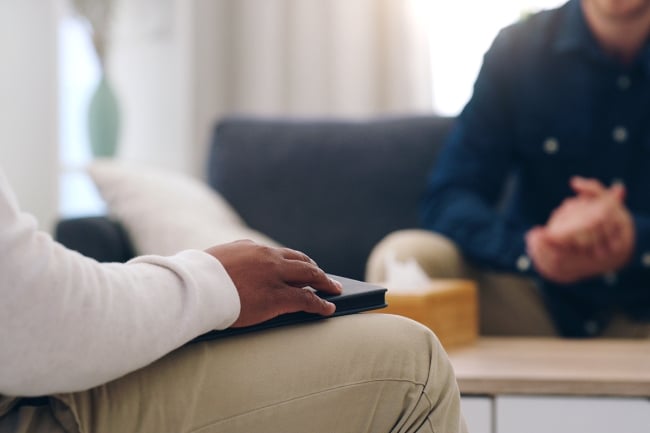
pixel 539 385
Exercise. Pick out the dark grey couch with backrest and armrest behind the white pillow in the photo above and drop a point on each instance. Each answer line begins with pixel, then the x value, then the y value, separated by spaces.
pixel 330 188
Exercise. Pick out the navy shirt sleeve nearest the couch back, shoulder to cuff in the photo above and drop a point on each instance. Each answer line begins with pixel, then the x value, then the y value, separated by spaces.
pixel 473 169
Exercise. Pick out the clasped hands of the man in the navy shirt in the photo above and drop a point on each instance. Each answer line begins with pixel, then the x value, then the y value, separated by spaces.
pixel 589 234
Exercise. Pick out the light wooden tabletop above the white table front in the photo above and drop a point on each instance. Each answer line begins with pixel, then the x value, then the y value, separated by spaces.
pixel 553 366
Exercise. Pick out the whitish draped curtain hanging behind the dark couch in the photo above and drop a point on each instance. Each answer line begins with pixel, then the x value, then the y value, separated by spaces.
pixel 342 58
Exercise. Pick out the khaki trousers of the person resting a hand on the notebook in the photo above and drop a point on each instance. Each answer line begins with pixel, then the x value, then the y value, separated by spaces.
pixel 360 373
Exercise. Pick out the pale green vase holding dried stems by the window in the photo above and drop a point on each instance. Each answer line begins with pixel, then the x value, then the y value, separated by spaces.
pixel 104 120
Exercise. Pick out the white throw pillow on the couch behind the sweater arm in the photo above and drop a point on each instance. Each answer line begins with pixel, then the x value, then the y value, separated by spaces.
pixel 164 211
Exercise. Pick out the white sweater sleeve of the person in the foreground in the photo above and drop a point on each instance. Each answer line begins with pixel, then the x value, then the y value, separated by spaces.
pixel 68 323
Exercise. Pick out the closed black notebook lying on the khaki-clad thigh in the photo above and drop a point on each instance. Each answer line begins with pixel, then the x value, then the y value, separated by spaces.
pixel 356 297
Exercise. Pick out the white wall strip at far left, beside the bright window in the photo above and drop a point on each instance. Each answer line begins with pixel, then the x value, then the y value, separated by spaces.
pixel 28 104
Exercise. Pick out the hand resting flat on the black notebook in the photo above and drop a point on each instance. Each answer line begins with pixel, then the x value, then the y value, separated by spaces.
pixel 272 281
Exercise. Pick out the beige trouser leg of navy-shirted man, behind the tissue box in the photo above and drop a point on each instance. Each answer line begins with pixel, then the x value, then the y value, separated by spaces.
pixel 508 304
